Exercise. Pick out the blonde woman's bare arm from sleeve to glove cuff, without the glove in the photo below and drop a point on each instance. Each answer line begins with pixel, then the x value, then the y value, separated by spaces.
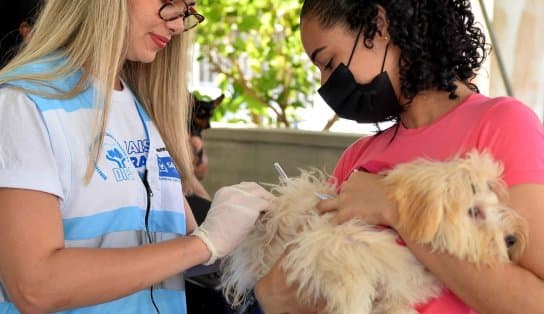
pixel 40 275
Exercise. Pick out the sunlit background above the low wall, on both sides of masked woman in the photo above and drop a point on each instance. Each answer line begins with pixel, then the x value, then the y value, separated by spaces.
pixel 250 49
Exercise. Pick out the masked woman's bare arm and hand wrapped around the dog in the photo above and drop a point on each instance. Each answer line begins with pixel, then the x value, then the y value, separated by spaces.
pixel 502 288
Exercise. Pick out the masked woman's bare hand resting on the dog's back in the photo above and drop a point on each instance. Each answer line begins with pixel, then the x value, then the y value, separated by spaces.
pixel 361 196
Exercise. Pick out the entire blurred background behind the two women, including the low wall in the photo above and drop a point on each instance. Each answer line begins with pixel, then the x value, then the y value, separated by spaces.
pixel 250 51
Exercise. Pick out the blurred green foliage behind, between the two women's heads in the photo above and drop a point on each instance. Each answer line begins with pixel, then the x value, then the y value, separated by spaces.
pixel 254 47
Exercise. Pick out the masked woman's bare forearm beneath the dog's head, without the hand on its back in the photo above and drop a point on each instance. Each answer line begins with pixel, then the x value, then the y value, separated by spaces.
pixel 502 288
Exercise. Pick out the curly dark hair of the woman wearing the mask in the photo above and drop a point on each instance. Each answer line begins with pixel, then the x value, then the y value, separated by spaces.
pixel 438 39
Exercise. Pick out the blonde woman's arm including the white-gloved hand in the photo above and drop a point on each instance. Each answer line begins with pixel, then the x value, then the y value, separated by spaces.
pixel 41 275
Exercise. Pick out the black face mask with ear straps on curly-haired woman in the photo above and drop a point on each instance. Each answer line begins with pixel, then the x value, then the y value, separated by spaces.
pixel 365 103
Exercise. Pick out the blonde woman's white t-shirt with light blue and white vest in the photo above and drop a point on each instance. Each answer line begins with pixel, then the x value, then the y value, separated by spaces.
pixel 114 210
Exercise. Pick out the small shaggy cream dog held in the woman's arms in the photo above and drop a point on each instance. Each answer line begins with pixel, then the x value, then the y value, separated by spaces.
pixel 454 206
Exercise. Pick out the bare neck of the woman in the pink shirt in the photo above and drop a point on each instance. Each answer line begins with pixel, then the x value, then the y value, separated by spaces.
pixel 428 106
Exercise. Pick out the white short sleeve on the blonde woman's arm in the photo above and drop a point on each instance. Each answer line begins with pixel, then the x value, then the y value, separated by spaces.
pixel 26 156
